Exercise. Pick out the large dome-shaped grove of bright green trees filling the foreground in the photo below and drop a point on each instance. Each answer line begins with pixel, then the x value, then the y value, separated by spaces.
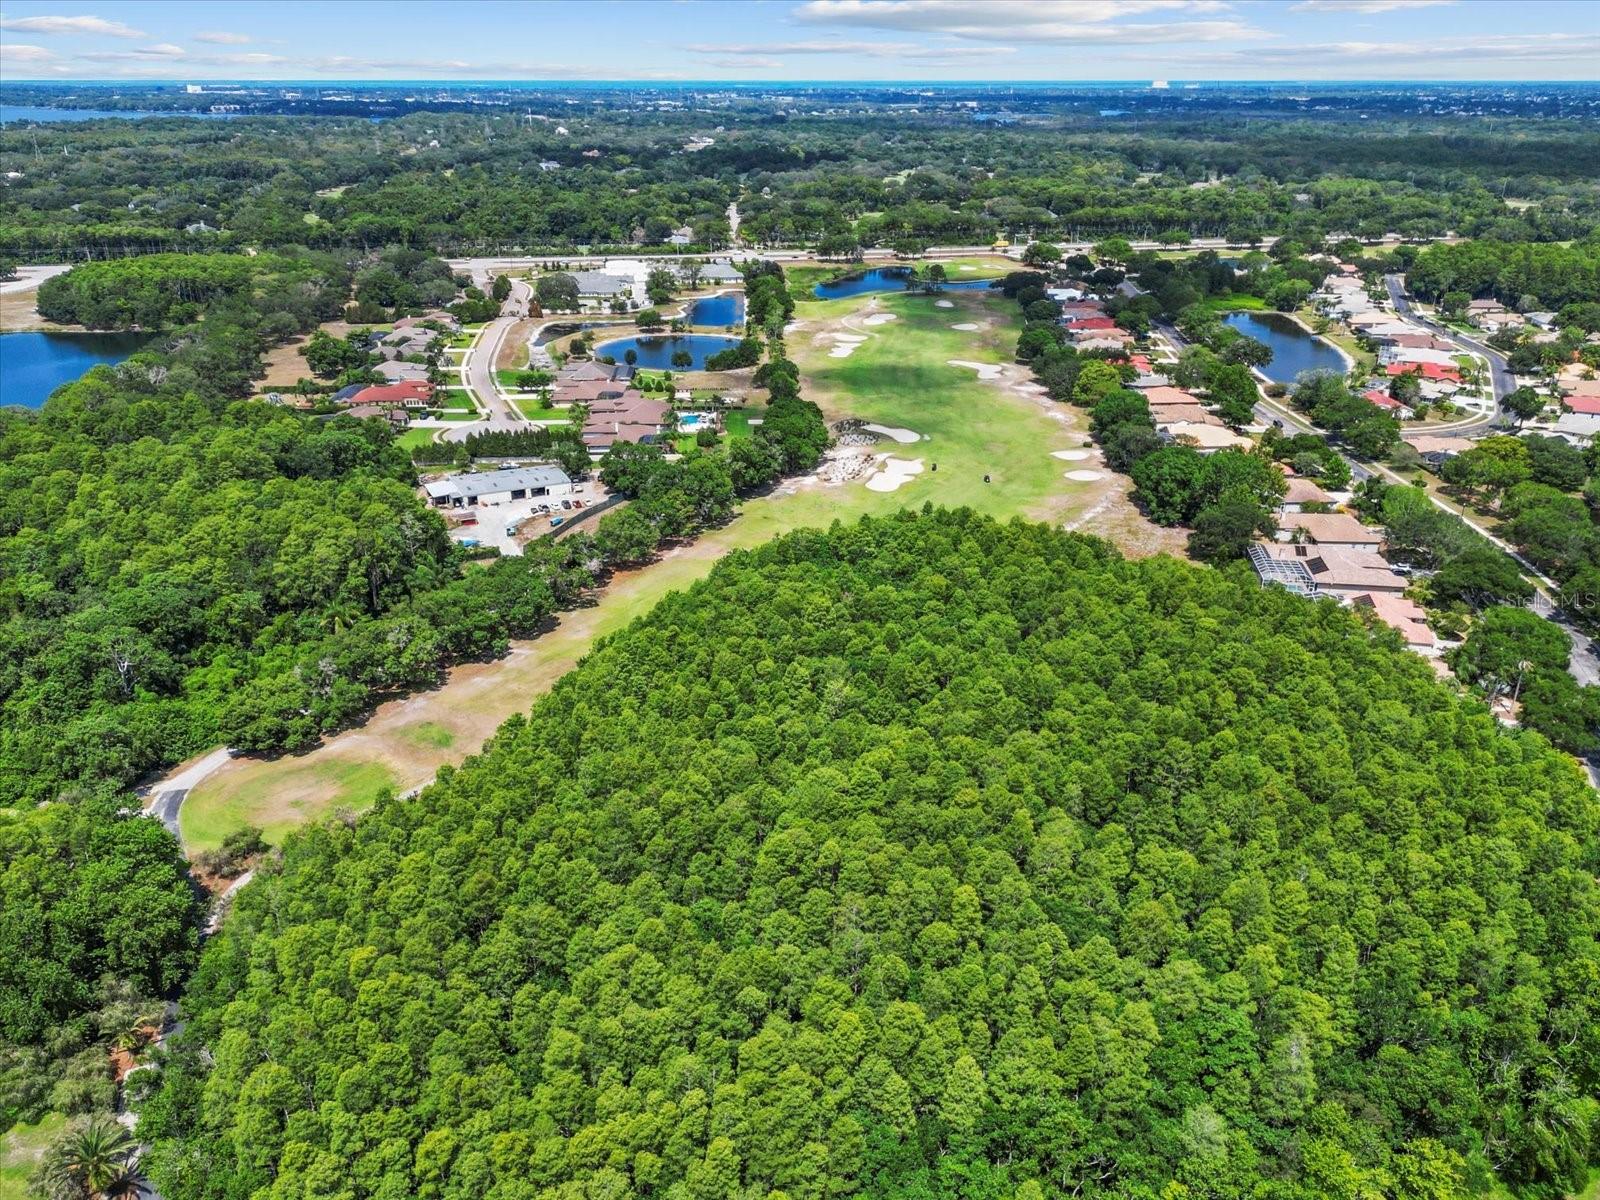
pixel 929 858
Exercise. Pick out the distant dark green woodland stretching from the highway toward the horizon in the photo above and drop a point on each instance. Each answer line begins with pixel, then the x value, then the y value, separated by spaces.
pixel 465 182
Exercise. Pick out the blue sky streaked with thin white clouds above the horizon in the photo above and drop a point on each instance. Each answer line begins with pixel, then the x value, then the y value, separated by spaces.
pixel 802 41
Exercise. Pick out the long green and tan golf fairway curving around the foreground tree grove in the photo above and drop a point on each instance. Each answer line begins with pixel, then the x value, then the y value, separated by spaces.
pixel 898 377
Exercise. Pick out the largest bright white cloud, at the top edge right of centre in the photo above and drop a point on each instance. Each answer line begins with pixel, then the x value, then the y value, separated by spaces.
pixel 1094 22
